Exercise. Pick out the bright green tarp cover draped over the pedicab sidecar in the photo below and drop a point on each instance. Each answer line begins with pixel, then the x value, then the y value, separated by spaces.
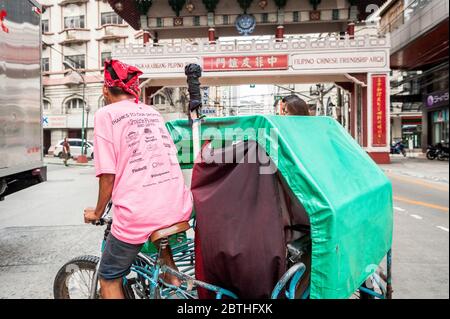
pixel 346 195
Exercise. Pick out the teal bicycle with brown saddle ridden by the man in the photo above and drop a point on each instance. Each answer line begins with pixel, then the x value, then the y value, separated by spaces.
pixel 78 278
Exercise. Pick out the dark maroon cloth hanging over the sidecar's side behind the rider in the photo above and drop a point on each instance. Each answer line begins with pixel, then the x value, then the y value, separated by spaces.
pixel 240 226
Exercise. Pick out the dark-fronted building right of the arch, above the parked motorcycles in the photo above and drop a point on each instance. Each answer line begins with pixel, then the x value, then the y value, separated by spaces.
pixel 419 33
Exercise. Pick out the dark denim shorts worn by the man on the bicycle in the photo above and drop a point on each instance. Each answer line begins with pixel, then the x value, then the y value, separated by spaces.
pixel 117 258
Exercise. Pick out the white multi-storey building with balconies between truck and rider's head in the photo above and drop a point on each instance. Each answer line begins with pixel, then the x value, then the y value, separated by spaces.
pixel 81 32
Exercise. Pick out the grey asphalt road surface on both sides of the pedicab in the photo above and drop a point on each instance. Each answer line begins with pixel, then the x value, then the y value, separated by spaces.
pixel 41 228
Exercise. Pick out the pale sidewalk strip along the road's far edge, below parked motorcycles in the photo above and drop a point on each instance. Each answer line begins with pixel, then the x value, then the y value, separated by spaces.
pixel 418 167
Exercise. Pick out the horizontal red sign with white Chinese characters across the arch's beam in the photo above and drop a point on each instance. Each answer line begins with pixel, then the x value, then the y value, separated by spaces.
pixel 241 63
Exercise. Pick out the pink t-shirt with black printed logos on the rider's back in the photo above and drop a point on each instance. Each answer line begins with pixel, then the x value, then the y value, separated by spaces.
pixel 132 142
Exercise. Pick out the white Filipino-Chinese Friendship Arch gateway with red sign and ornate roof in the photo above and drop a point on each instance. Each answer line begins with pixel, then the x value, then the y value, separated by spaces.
pixel 287 48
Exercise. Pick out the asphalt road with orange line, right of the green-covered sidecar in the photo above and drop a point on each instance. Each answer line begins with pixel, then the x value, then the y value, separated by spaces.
pixel 421 238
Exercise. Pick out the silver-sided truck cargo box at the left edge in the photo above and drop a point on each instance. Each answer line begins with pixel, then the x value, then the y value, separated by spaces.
pixel 21 154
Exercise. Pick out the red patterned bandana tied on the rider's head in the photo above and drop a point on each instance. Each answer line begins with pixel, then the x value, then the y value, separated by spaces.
pixel 123 71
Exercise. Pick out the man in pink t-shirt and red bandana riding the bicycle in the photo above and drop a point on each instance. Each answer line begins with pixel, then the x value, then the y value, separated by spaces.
pixel 135 160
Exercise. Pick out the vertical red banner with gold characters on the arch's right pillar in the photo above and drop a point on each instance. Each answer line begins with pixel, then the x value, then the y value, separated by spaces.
pixel 379 131
